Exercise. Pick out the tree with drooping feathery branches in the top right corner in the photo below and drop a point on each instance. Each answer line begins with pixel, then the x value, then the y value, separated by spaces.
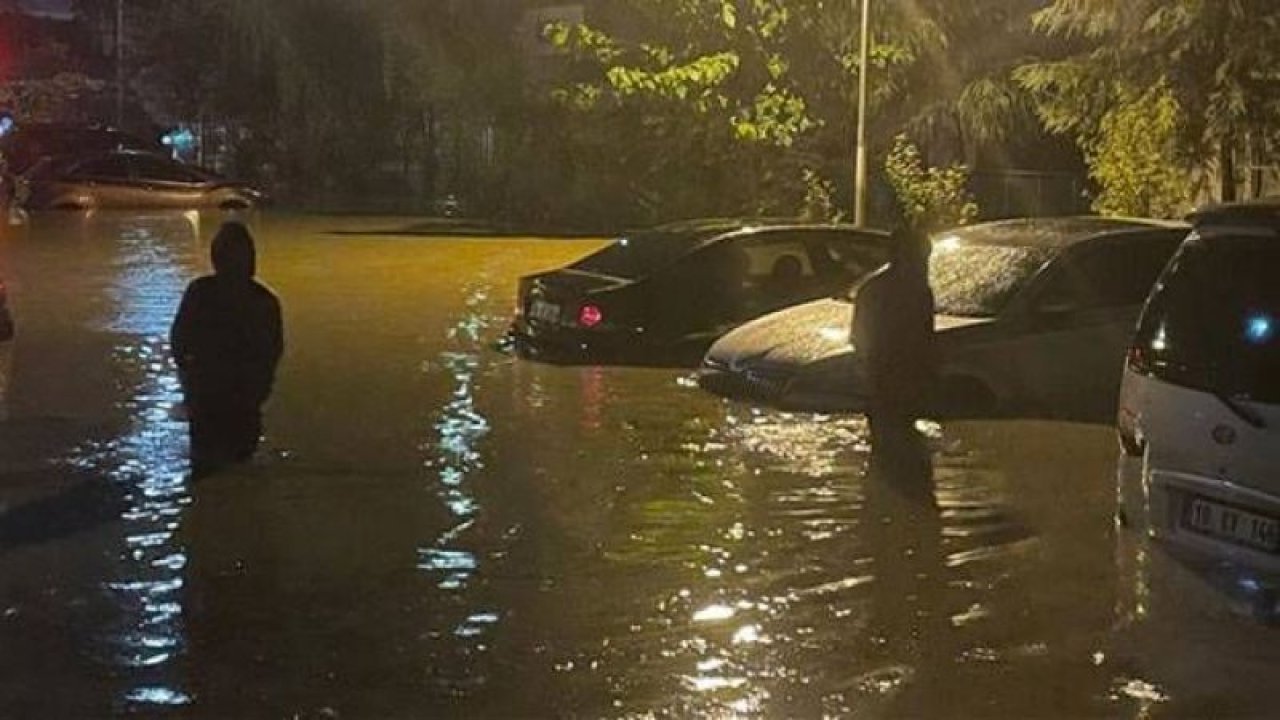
pixel 1217 60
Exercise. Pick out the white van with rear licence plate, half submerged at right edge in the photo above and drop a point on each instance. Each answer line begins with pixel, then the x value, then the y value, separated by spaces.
pixel 1201 395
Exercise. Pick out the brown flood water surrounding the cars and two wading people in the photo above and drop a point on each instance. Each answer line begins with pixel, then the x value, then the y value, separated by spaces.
pixel 437 530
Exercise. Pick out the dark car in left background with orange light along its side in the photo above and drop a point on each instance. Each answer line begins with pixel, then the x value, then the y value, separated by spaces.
pixel 130 179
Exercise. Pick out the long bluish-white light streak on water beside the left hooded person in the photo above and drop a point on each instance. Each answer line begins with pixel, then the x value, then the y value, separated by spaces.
pixel 148 461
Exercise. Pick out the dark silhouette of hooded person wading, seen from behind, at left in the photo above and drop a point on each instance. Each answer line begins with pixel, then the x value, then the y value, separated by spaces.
pixel 227 340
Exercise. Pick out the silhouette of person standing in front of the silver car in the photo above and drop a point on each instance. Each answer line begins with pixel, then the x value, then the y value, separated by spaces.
pixel 894 336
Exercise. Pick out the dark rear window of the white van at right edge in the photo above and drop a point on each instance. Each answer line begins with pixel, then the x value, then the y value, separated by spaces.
pixel 1214 318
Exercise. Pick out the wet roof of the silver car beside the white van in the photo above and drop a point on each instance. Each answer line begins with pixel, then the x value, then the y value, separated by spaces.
pixel 1054 233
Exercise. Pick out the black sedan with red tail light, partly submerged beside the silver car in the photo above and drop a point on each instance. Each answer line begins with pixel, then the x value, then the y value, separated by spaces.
pixel 664 295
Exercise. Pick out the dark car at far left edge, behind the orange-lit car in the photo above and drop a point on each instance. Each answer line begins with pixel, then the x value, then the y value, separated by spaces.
pixel 31 143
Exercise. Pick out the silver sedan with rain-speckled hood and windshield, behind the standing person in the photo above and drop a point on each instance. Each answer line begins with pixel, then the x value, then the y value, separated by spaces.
pixel 1034 316
